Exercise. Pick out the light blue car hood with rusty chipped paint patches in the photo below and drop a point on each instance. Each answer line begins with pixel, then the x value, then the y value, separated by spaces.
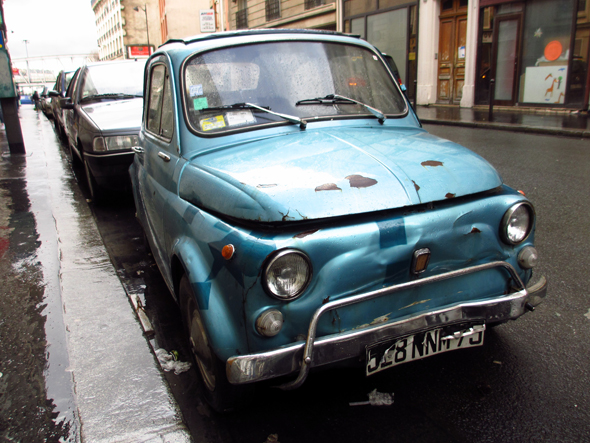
pixel 333 172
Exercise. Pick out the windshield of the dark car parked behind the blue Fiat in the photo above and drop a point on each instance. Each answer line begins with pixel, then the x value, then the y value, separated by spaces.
pixel 113 80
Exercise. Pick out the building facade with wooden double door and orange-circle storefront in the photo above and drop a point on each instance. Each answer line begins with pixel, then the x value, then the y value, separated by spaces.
pixel 531 53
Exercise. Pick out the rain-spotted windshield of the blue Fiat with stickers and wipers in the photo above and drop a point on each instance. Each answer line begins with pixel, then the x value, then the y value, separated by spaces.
pixel 294 80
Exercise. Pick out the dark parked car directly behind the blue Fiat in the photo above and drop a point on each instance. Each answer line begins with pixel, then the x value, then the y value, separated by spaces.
pixel 102 113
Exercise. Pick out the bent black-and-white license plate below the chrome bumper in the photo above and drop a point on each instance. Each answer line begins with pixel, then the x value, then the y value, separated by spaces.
pixel 425 344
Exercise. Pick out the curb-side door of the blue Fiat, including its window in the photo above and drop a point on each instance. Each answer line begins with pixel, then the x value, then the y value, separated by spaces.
pixel 160 155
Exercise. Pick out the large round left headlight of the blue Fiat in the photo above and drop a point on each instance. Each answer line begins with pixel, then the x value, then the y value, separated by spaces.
pixel 287 274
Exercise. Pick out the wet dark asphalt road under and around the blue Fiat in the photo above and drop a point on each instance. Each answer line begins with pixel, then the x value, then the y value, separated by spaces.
pixel 529 382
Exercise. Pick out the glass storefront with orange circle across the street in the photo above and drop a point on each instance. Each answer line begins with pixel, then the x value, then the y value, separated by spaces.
pixel 526 47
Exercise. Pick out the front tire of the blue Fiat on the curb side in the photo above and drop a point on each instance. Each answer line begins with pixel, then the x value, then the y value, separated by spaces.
pixel 218 392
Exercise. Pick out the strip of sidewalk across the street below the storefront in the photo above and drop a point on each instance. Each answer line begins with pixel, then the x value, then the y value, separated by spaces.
pixel 532 120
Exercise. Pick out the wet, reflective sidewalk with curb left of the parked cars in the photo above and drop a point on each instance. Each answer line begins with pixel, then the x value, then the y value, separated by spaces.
pixel 74 362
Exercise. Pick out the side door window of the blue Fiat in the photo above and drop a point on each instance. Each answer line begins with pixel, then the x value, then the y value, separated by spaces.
pixel 160 118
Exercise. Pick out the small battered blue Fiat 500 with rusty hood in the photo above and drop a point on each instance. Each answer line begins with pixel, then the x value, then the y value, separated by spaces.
pixel 302 217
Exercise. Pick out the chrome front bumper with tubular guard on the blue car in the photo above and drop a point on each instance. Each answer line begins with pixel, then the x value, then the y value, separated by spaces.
pixel 301 357
